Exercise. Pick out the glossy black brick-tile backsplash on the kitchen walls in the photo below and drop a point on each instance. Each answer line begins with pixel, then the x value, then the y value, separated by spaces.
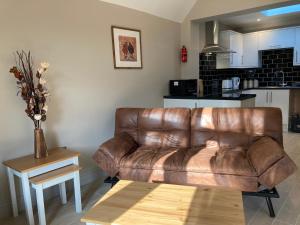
pixel 271 61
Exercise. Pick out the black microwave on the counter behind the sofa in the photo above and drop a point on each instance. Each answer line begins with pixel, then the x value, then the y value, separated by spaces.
pixel 184 87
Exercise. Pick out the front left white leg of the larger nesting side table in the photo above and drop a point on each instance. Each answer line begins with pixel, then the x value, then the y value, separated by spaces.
pixel 27 199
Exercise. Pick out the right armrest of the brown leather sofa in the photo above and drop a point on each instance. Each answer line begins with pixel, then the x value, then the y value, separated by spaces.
pixel 270 161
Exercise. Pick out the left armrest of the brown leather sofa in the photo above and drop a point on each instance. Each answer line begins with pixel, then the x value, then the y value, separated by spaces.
pixel 110 153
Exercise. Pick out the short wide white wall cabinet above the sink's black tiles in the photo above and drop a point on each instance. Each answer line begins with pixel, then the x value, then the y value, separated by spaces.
pixel 278 38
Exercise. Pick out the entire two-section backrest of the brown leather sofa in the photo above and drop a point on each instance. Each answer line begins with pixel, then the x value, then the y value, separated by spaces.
pixel 179 127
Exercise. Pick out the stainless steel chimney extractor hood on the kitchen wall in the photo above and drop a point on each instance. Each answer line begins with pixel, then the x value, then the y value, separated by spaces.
pixel 212 39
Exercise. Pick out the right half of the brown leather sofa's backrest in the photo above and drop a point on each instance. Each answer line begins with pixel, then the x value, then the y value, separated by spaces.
pixel 231 127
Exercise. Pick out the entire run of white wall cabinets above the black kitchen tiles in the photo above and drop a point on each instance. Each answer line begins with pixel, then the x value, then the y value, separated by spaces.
pixel 248 45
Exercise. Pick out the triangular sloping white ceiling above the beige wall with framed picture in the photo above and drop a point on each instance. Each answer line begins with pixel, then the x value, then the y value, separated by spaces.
pixel 175 10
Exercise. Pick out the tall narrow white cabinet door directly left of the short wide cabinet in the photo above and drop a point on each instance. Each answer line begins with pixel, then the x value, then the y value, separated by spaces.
pixel 250 50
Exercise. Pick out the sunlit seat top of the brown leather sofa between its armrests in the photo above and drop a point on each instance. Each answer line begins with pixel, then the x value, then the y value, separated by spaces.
pixel 199 160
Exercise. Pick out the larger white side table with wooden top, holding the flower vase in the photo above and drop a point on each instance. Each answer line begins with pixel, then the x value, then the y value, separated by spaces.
pixel 27 167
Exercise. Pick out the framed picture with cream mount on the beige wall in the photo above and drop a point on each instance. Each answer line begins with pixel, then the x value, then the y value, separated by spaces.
pixel 127 48
